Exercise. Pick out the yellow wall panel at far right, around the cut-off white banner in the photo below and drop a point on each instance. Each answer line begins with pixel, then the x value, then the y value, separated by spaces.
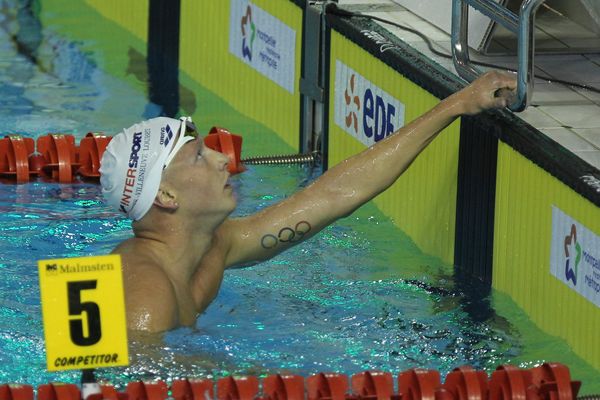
pixel 525 195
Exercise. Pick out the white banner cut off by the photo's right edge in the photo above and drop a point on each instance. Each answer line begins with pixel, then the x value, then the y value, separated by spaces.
pixel 575 256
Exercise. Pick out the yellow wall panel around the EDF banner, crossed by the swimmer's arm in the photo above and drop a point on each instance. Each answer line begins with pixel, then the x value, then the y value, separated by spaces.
pixel 423 201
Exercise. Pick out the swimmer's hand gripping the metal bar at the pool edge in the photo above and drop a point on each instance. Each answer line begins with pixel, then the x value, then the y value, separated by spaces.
pixel 490 91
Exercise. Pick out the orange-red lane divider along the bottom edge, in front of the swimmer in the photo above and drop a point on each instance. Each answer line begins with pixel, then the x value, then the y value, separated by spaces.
pixel 549 381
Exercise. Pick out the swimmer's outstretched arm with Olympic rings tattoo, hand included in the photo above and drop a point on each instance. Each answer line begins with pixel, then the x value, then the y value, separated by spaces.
pixel 351 183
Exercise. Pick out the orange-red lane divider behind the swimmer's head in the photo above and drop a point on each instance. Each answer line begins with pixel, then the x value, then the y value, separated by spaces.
pixel 59 159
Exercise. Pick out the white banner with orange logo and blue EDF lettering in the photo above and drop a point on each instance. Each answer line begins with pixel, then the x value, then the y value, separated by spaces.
pixel 362 109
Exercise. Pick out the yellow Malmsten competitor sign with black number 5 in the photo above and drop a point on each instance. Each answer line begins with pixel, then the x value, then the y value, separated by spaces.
pixel 83 307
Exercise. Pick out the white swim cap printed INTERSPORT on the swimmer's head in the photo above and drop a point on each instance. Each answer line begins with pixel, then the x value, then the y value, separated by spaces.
pixel 131 167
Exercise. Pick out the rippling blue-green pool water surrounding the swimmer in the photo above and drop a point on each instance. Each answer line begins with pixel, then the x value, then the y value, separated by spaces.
pixel 358 296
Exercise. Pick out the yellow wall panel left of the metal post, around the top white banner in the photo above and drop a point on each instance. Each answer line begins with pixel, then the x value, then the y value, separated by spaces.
pixel 205 57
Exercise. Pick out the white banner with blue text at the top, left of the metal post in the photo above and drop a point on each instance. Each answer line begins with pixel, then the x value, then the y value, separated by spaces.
pixel 263 42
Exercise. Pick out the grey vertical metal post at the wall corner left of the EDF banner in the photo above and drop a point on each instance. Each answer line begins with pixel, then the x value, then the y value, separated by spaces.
pixel 312 83
